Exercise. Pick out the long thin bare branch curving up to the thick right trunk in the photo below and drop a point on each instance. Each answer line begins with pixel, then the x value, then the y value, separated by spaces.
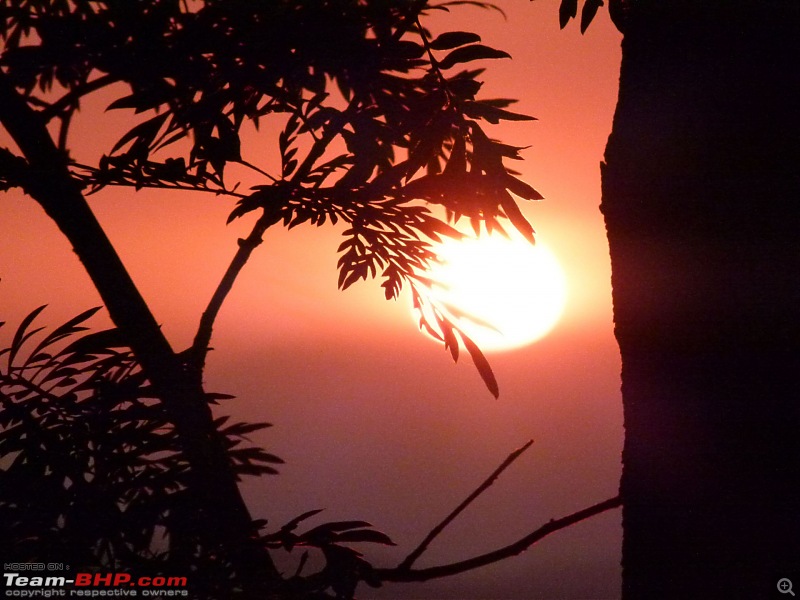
pixel 405 575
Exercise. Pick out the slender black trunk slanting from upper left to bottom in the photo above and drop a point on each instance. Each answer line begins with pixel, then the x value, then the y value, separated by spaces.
pixel 226 520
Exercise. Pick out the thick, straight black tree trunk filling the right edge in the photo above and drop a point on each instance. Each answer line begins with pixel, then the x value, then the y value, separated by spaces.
pixel 701 196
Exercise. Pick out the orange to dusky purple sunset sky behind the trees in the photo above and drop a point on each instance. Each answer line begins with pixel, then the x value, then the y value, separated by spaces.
pixel 373 419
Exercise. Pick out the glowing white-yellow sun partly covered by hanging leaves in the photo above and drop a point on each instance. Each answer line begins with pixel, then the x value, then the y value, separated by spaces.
pixel 502 292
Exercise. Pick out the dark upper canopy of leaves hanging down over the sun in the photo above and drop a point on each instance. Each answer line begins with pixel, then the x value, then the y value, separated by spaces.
pixel 377 121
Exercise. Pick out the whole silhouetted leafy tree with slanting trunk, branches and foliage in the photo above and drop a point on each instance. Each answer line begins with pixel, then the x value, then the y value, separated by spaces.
pixel 112 441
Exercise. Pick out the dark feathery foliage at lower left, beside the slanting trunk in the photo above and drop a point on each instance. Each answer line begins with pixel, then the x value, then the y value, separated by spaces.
pixel 92 468
